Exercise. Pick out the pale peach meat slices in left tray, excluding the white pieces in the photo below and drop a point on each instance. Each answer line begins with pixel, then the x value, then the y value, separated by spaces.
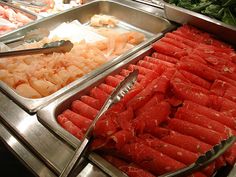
pixel 37 76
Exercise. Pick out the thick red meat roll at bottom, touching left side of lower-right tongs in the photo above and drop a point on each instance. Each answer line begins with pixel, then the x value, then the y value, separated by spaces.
pixel 150 159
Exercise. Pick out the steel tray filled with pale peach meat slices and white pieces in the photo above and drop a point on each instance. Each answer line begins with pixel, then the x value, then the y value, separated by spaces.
pixel 104 42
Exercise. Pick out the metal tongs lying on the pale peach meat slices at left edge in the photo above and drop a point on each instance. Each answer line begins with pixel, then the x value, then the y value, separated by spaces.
pixel 57 46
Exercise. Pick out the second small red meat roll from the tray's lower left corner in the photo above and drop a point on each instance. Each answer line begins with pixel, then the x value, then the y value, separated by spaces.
pixel 81 122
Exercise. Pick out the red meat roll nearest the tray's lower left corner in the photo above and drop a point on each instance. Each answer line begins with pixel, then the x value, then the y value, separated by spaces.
pixel 70 127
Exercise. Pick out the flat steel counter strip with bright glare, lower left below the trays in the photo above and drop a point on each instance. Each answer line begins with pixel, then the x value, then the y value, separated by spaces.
pixel 43 143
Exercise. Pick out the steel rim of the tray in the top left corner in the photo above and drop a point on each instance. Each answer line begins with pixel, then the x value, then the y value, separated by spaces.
pixel 32 16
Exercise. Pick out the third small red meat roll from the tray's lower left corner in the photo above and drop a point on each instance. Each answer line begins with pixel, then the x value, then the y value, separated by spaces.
pixel 84 109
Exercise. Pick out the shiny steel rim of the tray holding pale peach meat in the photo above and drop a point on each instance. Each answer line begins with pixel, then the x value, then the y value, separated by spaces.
pixel 32 105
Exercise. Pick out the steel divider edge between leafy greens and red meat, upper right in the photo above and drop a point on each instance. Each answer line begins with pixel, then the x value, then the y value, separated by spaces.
pixel 181 15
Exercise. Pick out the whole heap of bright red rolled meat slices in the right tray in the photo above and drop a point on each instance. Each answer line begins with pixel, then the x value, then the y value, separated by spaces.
pixel 182 104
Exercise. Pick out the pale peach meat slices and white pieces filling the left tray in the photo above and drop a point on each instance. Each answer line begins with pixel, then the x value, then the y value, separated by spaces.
pixel 41 75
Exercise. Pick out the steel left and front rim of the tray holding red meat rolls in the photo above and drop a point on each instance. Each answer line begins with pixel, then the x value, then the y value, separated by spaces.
pixel 48 114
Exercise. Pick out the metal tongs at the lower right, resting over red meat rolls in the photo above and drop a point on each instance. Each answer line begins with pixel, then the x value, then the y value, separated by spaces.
pixel 204 159
